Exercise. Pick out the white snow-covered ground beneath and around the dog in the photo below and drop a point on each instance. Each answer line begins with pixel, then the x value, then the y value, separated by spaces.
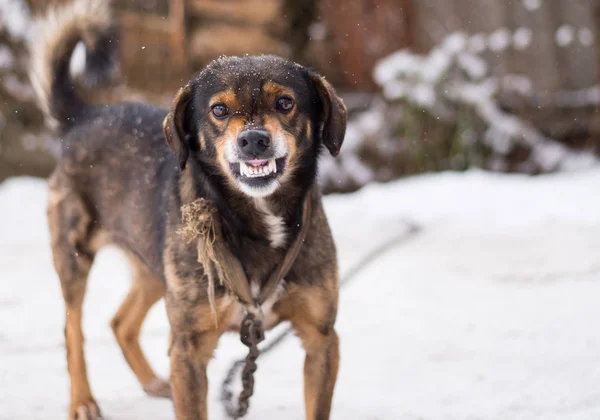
pixel 490 312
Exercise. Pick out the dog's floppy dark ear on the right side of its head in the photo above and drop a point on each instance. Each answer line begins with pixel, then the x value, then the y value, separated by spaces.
pixel 333 116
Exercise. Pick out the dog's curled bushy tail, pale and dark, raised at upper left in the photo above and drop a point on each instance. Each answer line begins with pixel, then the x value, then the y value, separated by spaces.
pixel 56 35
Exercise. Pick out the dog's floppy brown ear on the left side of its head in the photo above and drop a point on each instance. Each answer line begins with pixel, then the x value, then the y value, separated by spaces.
pixel 175 128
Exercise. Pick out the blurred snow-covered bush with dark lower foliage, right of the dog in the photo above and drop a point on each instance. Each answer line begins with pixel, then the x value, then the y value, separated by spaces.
pixel 441 111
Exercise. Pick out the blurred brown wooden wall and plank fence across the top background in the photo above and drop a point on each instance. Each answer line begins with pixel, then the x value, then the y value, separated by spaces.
pixel 553 42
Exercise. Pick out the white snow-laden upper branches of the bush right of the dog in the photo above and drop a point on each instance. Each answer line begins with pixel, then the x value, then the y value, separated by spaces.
pixel 452 83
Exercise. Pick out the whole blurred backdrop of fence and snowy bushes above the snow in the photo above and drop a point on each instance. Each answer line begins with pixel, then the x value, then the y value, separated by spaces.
pixel 509 86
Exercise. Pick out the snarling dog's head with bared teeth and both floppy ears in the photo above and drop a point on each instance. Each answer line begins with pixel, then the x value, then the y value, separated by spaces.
pixel 256 121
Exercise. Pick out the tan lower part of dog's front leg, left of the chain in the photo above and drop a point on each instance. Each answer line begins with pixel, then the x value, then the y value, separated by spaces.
pixel 190 353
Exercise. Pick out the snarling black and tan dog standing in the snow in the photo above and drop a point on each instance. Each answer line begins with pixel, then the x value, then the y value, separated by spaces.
pixel 246 134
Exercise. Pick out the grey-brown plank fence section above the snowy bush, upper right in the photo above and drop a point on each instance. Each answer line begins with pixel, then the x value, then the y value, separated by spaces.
pixel 553 42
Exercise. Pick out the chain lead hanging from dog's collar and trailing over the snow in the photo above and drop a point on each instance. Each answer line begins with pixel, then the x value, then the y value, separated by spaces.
pixel 240 409
